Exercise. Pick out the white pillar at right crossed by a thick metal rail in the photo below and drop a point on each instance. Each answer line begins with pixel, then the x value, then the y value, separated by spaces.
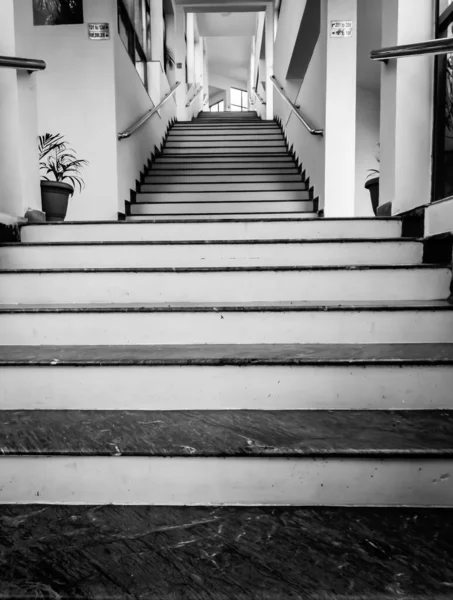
pixel 406 108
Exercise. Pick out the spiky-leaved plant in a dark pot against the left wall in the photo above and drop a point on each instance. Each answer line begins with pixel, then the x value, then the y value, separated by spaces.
pixel 62 174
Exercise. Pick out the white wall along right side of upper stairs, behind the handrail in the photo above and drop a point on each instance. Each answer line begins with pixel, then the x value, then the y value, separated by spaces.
pixel 309 149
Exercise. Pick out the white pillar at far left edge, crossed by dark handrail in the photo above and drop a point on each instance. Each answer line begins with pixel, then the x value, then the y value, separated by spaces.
pixel 19 172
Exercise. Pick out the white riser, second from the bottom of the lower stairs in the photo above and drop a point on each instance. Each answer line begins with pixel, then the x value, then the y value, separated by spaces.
pixel 343 387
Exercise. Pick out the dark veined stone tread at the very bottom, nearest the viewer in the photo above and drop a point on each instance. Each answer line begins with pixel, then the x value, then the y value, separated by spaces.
pixel 266 553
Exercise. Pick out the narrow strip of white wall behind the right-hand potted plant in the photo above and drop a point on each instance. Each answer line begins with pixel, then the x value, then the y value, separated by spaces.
pixel 367 138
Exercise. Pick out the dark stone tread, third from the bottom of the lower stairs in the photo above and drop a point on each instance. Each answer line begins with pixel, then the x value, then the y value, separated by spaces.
pixel 230 354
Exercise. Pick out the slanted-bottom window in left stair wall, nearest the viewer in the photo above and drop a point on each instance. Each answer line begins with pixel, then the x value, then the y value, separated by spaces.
pixel 134 27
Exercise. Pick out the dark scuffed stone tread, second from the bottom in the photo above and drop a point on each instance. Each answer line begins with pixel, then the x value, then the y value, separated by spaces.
pixel 289 433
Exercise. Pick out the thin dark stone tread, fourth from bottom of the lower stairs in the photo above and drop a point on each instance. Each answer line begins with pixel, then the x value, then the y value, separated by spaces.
pixel 395 306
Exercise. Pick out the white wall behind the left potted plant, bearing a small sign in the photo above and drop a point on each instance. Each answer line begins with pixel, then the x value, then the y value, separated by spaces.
pixel 76 97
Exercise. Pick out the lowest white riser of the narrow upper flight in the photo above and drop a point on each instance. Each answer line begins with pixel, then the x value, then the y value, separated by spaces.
pixel 172 206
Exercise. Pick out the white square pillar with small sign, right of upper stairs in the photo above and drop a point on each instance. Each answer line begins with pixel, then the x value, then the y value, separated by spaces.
pixel 340 125
